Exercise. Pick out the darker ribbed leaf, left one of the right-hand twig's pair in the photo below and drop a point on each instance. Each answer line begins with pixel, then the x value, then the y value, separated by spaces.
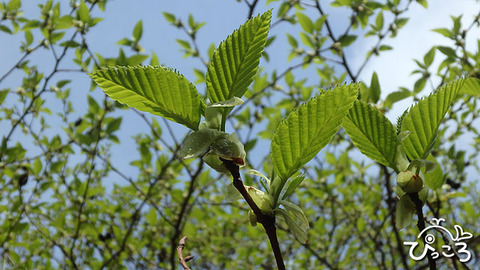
pixel 372 133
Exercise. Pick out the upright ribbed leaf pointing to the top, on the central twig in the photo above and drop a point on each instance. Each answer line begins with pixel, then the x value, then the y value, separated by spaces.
pixel 235 62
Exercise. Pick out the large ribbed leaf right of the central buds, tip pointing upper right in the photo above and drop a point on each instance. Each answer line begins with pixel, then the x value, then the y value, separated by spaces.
pixel 302 134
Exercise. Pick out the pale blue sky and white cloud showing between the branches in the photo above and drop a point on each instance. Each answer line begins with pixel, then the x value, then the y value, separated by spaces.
pixel 222 17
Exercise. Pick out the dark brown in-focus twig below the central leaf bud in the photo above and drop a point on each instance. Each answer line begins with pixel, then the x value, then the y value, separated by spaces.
pixel 267 221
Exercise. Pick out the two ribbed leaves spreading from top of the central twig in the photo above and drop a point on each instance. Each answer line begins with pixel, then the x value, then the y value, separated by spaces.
pixel 166 93
